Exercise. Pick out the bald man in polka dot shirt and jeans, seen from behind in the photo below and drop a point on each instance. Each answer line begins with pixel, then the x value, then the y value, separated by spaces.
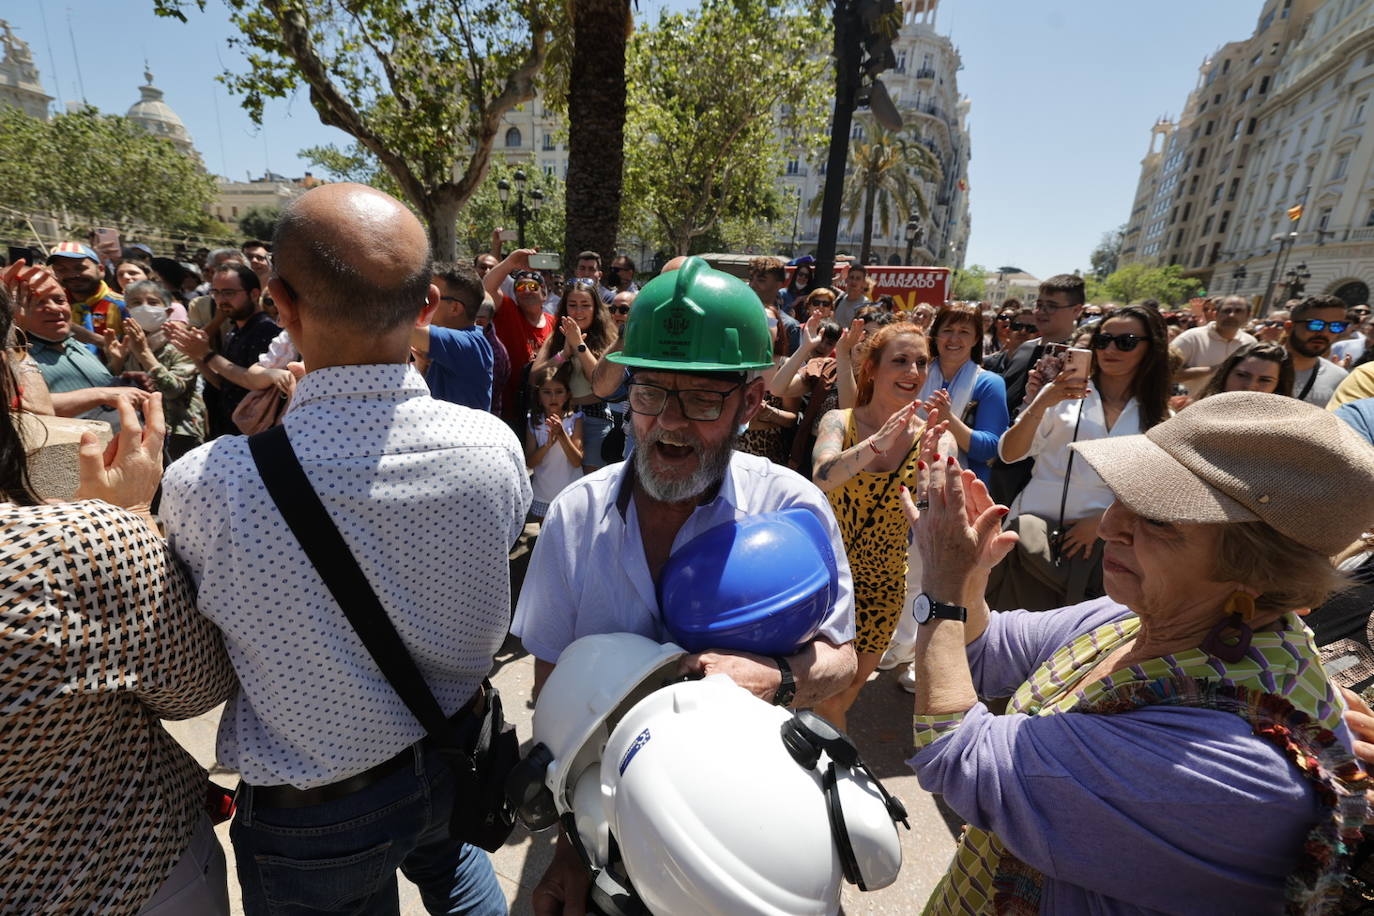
pixel 340 790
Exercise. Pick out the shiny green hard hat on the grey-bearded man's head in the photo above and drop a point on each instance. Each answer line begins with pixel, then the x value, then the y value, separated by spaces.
pixel 696 321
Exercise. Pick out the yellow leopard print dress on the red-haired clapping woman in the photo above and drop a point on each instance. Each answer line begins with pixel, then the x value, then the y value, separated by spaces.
pixel 879 550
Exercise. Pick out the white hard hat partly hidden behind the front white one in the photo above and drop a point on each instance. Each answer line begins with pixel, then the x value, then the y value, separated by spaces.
pixel 596 676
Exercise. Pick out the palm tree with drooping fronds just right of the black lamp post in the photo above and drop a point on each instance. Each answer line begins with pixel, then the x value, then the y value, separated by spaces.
pixel 884 179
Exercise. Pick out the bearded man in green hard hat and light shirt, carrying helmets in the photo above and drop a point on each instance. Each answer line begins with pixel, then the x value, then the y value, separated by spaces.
pixel 696 343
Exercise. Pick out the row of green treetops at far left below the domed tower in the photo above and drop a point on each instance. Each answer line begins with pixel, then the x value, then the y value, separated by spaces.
pixel 101 168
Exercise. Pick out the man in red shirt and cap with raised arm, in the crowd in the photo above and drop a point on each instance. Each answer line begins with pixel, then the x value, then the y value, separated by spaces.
pixel 521 325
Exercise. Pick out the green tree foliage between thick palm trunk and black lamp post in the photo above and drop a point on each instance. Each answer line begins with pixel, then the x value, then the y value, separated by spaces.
pixel 703 144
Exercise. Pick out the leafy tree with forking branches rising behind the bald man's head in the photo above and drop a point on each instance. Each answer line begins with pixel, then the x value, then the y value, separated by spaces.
pixel 420 84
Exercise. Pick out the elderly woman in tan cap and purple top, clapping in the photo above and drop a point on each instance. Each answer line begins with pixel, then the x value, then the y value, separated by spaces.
pixel 1174 746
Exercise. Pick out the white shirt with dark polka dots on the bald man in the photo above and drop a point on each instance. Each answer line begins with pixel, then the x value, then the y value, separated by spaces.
pixel 429 498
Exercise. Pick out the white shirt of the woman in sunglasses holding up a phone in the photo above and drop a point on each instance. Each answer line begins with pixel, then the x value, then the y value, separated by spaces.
pixel 1050 450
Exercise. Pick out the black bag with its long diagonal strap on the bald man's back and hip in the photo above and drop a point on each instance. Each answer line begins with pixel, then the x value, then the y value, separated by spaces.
pixel 482 749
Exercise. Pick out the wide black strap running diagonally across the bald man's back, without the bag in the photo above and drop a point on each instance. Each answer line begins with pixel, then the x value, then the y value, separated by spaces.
pixel 337 566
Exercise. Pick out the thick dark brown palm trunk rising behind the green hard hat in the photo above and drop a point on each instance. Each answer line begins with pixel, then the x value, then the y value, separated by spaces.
pixel 596 124
